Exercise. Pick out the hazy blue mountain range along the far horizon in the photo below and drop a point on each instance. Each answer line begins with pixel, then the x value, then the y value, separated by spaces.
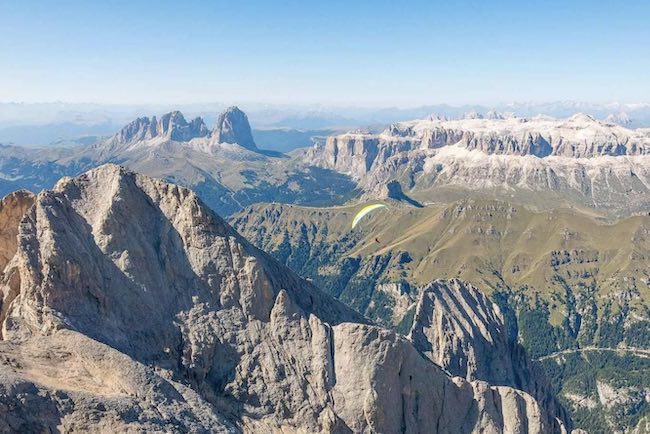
pixel 42 124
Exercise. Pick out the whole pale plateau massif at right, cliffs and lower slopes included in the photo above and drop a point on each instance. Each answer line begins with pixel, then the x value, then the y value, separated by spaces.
pixel 577 160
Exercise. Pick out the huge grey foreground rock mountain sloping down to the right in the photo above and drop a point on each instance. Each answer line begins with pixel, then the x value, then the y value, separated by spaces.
pixel 129 305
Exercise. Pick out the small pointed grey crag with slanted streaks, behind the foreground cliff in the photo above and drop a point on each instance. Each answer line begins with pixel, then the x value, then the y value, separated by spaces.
pixel 457 327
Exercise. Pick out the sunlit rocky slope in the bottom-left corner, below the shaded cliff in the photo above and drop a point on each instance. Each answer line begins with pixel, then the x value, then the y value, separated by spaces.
pixel 66 382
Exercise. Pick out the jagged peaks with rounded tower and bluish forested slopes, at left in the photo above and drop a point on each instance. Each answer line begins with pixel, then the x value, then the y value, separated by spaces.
pixel 223 165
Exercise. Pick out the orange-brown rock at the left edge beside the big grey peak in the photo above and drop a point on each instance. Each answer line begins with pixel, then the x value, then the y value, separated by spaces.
pixel 12 208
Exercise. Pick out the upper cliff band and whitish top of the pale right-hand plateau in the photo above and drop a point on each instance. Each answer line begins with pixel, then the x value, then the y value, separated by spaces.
pixel 580 136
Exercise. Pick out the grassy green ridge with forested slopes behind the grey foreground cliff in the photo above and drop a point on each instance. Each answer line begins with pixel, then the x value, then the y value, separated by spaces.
pixel 573 290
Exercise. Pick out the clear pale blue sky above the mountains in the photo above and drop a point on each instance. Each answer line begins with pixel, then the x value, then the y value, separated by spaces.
pixel 331 52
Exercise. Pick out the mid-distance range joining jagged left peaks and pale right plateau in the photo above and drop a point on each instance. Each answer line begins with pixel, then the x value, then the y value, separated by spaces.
pixel 540 161
